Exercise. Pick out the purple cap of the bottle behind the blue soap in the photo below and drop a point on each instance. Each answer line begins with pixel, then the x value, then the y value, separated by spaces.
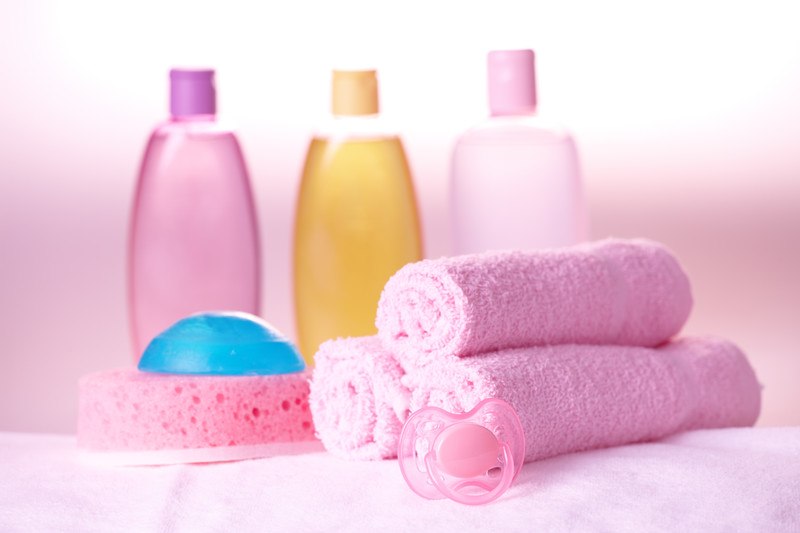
pixel 192 92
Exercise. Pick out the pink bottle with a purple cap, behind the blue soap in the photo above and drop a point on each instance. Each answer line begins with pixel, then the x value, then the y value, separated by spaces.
pixel 193 243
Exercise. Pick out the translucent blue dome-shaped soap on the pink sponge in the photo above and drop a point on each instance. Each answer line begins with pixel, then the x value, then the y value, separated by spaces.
pixel 221 343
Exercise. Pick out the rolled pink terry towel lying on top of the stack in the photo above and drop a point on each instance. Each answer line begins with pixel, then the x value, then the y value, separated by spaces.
pixel 624 292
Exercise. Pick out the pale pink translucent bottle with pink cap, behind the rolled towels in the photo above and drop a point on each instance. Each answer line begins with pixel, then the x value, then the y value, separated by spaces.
pixel 515 181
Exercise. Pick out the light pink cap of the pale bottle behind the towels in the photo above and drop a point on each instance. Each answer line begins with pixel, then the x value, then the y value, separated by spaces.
pixel 512 82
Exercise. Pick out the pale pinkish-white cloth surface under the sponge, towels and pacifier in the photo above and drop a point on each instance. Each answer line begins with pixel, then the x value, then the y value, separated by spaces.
pixel 711 481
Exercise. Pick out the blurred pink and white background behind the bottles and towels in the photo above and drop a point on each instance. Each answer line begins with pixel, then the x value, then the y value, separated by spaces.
pixel 687 117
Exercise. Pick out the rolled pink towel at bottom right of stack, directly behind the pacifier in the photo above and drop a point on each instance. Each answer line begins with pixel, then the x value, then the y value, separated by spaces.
pixel 580 397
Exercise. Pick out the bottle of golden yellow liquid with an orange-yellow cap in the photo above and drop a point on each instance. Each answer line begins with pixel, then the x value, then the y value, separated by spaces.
pixel 356 221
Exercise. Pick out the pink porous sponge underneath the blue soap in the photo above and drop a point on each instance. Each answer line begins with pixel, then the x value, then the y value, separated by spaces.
pixel 131 417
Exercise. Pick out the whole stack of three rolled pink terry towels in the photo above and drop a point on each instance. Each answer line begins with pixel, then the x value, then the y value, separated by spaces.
pixel 567 337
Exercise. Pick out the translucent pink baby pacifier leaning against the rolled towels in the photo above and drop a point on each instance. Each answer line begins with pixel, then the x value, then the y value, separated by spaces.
pixel 471 458
